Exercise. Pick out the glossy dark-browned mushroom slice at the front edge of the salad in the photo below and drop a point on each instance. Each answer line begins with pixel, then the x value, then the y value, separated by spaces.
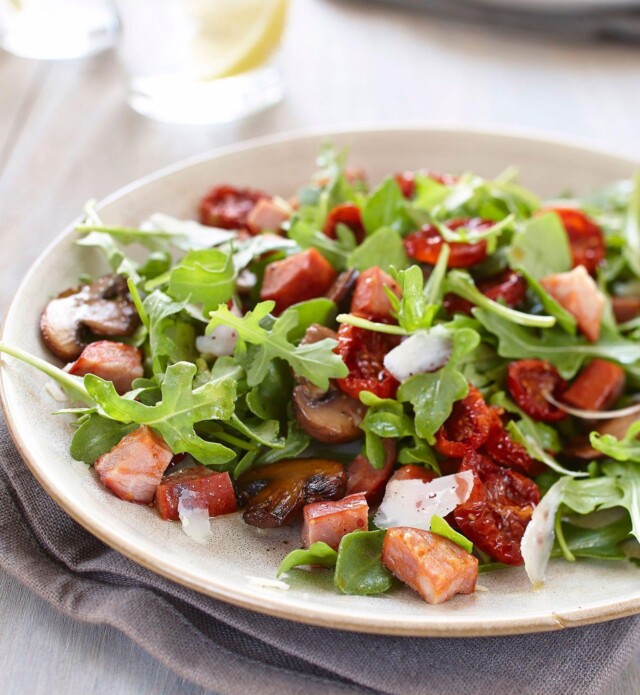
pixel 277 493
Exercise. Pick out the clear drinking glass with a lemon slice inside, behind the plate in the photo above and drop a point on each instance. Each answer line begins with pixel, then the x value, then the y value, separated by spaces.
pixel 202 61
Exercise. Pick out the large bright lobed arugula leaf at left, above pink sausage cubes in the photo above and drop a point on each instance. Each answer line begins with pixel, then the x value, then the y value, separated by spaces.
pixel 175 415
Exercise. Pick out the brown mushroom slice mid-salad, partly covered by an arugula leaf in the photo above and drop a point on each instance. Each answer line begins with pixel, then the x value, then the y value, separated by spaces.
pixel 328 416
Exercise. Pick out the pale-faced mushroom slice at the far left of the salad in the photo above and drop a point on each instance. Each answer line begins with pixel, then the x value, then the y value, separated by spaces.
pixel 102 308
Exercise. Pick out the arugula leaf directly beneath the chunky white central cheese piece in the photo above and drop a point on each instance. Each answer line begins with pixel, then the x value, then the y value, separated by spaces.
pixel 433 395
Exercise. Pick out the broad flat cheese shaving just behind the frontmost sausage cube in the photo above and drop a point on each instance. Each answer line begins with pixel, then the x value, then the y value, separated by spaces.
pixel 413 502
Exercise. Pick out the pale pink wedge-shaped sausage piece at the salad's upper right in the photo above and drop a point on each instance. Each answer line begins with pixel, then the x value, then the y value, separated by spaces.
pixel 578 293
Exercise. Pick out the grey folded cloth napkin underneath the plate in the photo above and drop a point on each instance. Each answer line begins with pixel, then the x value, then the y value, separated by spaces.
pixel 234 651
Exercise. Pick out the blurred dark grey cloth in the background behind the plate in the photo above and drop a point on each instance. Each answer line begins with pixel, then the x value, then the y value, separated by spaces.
pixel 610 20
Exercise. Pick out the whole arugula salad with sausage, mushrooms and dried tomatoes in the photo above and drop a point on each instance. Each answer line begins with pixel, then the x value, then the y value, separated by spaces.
pixel 434 376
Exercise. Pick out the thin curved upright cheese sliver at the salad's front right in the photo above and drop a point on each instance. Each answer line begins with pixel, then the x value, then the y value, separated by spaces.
pixel 537 541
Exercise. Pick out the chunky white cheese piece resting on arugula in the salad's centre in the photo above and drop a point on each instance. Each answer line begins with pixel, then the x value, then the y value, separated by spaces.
pixel 422 352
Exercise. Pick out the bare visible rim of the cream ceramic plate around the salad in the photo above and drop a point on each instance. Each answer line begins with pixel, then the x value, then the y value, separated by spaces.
pixel 574 594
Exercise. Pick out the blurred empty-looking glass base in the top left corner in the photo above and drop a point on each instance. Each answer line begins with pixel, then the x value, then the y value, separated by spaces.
pixel 57 29
